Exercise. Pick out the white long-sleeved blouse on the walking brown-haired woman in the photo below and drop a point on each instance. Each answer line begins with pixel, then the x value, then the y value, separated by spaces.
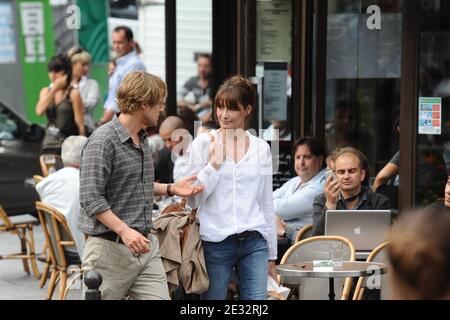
pixel 237 197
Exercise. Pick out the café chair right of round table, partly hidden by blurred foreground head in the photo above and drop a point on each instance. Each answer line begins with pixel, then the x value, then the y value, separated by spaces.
pixel 379 254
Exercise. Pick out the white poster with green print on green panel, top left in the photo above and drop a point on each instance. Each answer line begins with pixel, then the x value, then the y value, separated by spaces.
pixel 32 15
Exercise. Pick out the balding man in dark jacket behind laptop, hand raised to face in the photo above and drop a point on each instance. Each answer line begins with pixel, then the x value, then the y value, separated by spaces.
pixel 345 189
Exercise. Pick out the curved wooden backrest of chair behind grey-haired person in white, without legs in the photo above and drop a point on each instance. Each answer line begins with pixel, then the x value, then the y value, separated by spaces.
pixel 57 233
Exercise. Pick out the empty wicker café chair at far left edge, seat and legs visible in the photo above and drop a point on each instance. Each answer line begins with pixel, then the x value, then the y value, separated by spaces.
pixel 22 226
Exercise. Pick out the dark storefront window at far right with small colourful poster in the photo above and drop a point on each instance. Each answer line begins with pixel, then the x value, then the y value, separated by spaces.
pixel 433 140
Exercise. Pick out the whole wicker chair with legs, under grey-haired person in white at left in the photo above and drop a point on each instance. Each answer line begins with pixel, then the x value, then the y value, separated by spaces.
pixel 58 237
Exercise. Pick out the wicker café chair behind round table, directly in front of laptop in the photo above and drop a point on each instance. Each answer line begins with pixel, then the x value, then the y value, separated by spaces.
pixel 316 248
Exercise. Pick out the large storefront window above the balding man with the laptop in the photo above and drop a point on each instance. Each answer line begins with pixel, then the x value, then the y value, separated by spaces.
pixel 364 46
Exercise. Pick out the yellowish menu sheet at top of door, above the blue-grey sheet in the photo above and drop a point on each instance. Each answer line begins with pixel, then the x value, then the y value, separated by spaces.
pixel 273 25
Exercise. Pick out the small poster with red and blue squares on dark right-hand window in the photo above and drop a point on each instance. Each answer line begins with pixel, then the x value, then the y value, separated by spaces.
pixel 430 116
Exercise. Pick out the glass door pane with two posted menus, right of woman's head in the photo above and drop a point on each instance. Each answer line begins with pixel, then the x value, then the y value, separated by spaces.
pixel 274 73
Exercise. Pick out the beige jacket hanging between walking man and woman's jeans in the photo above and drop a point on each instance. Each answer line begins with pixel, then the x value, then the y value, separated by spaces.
pixel 187 264
